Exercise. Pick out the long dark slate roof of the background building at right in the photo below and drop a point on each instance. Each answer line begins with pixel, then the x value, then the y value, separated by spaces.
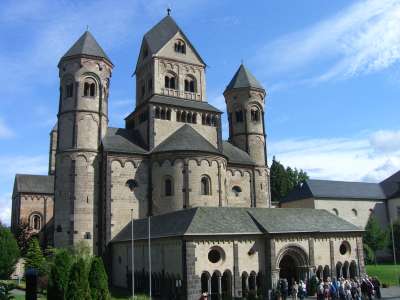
pixel 337 190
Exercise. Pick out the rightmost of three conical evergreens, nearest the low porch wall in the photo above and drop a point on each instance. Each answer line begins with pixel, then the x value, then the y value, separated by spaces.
pixel 98 280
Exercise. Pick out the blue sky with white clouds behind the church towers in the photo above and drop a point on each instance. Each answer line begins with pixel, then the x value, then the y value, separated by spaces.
pixel 330 68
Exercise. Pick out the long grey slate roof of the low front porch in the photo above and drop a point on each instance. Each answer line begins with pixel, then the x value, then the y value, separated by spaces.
pixel 203 221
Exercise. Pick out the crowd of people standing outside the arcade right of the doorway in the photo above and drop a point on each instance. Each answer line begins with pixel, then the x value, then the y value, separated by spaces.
pixel 365 288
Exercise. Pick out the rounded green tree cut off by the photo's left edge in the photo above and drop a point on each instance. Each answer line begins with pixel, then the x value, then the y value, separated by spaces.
pixel 9 252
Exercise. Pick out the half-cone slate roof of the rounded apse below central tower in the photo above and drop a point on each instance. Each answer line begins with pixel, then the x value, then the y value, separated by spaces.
pixel 185 139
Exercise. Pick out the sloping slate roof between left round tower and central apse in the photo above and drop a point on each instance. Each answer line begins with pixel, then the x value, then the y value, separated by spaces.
pixel 123 141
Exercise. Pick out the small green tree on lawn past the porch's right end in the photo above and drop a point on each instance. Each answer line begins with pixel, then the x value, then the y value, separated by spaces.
pixel 374 237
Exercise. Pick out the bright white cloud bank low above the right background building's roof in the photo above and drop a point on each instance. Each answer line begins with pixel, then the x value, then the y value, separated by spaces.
pixel 365 158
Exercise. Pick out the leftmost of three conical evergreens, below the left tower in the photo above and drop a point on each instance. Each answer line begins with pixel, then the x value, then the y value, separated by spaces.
pixel 59 275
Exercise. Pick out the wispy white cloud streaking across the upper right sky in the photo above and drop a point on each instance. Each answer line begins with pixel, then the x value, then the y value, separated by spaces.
pixel 363 38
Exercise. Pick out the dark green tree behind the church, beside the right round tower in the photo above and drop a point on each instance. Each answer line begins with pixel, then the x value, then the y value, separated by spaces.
pixel 284 180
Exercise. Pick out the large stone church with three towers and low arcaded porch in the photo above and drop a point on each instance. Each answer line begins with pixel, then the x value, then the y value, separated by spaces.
pixel 212 226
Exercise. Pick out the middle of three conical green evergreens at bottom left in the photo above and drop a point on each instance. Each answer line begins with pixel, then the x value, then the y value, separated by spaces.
pixel 78 284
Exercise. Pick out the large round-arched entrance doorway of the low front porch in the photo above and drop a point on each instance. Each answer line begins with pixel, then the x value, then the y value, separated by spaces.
pixel 292 262
